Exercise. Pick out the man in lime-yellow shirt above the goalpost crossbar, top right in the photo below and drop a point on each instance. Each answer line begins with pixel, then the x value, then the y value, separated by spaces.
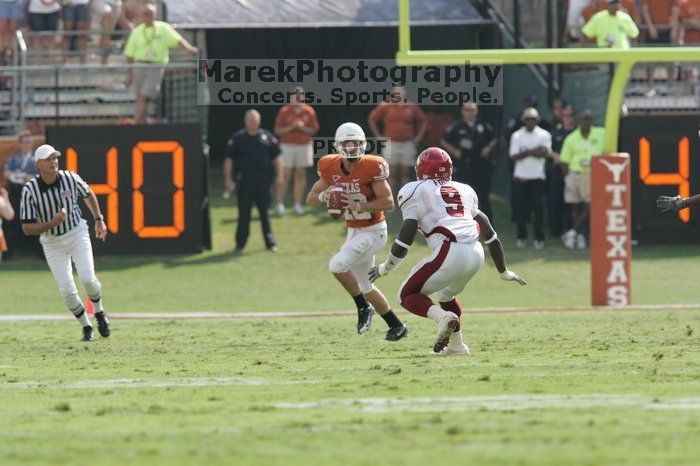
pixel 611 28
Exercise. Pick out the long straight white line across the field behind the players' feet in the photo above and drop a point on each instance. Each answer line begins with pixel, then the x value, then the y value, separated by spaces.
pixel 281 315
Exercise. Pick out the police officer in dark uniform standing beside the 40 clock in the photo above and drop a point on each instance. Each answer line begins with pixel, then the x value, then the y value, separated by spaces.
pixel 253 160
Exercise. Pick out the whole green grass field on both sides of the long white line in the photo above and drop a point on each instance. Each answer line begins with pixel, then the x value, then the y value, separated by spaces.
pixel 540 388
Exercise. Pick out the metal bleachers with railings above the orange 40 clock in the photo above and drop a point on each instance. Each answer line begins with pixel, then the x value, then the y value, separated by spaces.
pixel 80 91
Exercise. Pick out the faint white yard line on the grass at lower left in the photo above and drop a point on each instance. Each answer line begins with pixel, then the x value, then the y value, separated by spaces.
pixel 153 383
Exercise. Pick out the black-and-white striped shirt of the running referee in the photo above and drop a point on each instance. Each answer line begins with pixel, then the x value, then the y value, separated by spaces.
pixel 41 201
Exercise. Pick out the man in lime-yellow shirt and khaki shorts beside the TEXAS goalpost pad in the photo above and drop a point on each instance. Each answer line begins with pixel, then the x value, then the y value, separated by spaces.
pixel 578 148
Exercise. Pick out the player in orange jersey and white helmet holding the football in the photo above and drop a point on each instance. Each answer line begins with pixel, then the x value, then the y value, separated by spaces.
pixel 367 195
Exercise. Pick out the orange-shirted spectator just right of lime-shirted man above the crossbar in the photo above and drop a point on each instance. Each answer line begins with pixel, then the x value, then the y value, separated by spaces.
pixel 657 17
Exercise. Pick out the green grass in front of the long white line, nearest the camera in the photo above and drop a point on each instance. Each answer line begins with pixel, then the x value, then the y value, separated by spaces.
pixel 618 388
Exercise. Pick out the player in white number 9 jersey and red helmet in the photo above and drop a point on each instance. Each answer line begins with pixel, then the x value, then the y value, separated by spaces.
pixel 448 215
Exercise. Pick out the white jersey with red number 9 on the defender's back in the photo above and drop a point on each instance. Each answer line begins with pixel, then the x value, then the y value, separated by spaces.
pixel 445 210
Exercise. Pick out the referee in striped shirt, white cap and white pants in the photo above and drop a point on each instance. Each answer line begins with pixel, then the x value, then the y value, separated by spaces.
pixel 49 208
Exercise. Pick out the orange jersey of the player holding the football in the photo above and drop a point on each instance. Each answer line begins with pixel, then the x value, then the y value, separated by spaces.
pixel 357 183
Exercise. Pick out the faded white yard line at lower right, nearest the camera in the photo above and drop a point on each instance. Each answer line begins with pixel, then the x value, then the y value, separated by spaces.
pixel 497 403
